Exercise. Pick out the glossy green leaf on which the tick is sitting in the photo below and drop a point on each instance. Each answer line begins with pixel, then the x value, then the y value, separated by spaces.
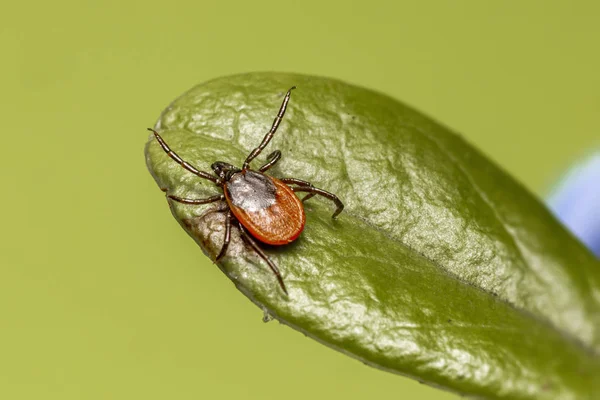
pixel 441 267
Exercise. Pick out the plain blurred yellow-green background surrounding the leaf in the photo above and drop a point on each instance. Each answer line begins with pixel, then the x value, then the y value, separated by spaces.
pixel 102 295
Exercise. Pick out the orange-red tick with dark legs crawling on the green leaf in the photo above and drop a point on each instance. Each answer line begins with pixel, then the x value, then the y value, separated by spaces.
pixel 260 206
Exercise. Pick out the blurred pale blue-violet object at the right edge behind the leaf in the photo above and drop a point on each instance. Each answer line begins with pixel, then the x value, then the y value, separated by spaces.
pixel 576 202
